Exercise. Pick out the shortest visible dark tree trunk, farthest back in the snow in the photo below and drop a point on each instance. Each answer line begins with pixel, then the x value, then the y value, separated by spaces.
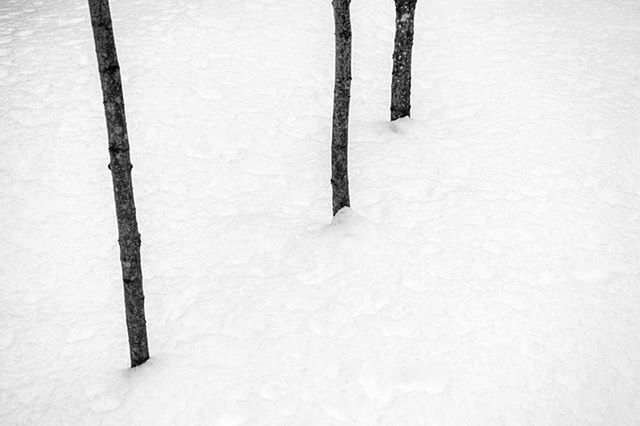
pixel 401 79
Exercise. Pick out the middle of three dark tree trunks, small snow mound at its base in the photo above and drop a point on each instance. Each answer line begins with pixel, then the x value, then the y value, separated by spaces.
pixel 341 99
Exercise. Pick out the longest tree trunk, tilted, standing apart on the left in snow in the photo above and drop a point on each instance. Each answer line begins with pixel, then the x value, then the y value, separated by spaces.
pixel 120 166
